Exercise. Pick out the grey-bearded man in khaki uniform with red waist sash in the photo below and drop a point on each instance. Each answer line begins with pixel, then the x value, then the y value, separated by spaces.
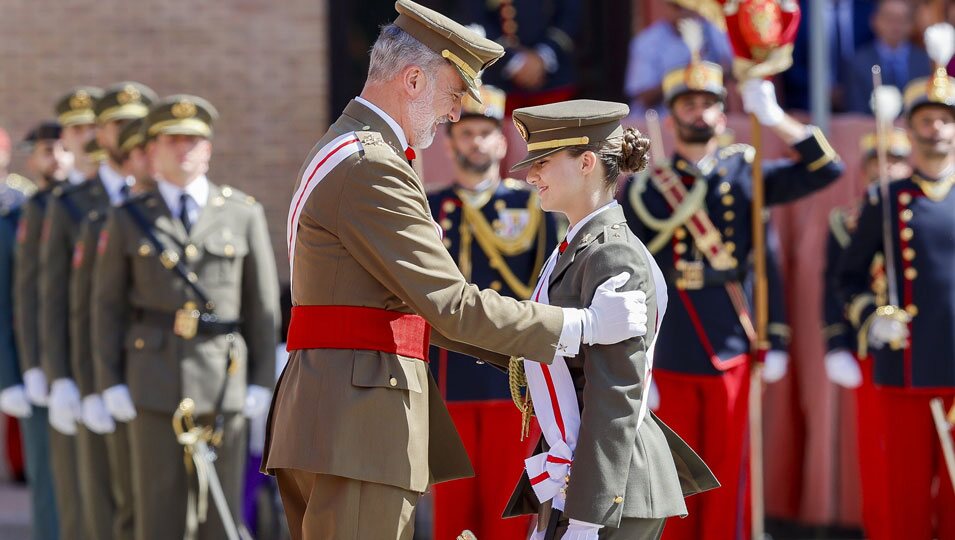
pixel 358 429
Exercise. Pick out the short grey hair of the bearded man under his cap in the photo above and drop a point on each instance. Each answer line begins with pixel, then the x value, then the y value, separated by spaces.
pixel 395 50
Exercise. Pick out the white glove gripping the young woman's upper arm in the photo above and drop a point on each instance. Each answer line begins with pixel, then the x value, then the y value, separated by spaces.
pixel 615 316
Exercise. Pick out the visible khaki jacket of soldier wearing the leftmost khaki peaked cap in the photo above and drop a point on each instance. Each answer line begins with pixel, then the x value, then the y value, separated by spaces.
pixel 68 208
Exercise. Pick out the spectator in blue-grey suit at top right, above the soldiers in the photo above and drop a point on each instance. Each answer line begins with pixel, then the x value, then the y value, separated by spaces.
pixel 900 59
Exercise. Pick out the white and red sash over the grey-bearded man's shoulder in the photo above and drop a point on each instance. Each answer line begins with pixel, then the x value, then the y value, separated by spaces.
pixel 322 163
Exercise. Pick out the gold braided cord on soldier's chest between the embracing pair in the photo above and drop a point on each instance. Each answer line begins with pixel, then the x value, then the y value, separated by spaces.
pixel 496 247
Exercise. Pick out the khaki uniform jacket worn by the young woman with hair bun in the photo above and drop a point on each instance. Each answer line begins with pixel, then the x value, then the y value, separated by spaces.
pixel 619 471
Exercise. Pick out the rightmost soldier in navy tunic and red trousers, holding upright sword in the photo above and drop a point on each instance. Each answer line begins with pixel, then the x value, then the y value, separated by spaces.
pixel 912 345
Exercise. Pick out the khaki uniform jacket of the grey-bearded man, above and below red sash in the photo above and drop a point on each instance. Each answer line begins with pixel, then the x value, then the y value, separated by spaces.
pixel 366 238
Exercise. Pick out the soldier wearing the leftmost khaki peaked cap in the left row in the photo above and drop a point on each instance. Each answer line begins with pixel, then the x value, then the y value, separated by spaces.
pixel 60 227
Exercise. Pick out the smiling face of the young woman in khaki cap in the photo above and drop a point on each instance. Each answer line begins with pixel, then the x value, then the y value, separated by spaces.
pixel 559 179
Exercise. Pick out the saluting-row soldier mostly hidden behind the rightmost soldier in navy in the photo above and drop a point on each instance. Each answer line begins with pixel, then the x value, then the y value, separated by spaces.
pixel 842 366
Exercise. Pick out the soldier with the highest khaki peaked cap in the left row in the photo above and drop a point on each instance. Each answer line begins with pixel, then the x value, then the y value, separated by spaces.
pixel 102 445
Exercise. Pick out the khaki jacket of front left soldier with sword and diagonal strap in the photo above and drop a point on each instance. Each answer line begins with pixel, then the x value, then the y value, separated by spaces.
pixel 229 251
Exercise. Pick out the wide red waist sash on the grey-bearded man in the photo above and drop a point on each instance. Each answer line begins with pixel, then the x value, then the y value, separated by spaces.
pixel 356 327
